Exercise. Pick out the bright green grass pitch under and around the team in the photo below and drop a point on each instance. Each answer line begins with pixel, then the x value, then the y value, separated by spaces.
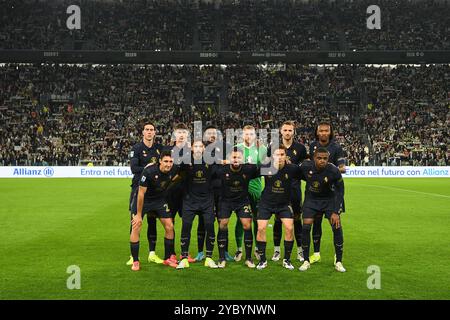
pixel 400 225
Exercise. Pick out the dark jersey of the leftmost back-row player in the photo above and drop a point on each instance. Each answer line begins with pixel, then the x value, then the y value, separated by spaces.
pixel 140 156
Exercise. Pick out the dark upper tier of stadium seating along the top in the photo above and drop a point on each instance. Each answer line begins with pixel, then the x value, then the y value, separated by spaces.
pixel 249 25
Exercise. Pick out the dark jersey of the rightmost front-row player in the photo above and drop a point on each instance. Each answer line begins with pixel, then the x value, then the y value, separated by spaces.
pixel 323 185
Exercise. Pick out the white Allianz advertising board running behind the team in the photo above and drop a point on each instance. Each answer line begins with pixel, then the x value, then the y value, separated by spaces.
pixel 125 172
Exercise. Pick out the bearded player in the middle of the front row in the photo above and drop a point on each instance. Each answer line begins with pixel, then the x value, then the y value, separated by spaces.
pixel 235 178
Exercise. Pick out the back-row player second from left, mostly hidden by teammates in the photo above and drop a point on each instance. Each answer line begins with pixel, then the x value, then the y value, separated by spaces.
pixel 181 153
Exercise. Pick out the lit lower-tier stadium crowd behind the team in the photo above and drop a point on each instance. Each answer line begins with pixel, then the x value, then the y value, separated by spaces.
pixel 73 115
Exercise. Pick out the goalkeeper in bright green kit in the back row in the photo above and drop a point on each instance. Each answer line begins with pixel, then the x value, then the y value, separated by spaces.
pixel 254 154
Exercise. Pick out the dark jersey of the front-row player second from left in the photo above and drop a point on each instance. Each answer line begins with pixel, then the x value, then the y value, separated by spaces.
pixel 198 181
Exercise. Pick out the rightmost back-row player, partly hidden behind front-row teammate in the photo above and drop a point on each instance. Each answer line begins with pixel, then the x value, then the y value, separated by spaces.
pixel 325 138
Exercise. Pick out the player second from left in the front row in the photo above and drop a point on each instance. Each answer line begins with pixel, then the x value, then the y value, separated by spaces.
pixel 197 199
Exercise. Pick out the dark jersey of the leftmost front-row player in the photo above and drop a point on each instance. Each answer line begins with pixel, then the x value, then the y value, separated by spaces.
pixel 156 182
